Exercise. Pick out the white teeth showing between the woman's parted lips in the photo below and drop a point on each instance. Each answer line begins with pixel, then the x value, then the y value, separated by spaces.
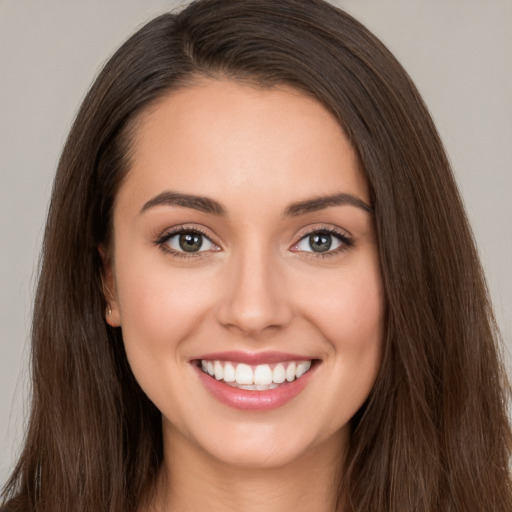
pixel 259 377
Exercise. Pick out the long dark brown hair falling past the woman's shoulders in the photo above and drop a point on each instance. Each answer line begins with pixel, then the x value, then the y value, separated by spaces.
pixel 434 433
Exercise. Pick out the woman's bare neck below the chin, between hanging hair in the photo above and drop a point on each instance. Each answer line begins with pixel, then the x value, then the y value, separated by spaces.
pixel 193 480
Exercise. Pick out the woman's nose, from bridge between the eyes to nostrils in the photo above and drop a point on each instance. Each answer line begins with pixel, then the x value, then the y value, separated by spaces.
pixel 254 298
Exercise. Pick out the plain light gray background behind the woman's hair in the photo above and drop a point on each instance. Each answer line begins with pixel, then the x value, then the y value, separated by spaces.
pixel 459 53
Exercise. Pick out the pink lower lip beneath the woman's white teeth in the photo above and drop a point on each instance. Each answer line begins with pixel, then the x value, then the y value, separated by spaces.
pixel 250 400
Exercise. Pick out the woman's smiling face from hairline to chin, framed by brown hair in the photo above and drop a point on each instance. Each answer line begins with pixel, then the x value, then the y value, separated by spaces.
pixel 243 245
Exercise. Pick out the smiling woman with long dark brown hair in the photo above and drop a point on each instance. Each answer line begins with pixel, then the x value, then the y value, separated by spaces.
pixel 259 290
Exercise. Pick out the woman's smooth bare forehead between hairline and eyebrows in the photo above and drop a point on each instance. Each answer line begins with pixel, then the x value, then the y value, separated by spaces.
pixel 229 140
